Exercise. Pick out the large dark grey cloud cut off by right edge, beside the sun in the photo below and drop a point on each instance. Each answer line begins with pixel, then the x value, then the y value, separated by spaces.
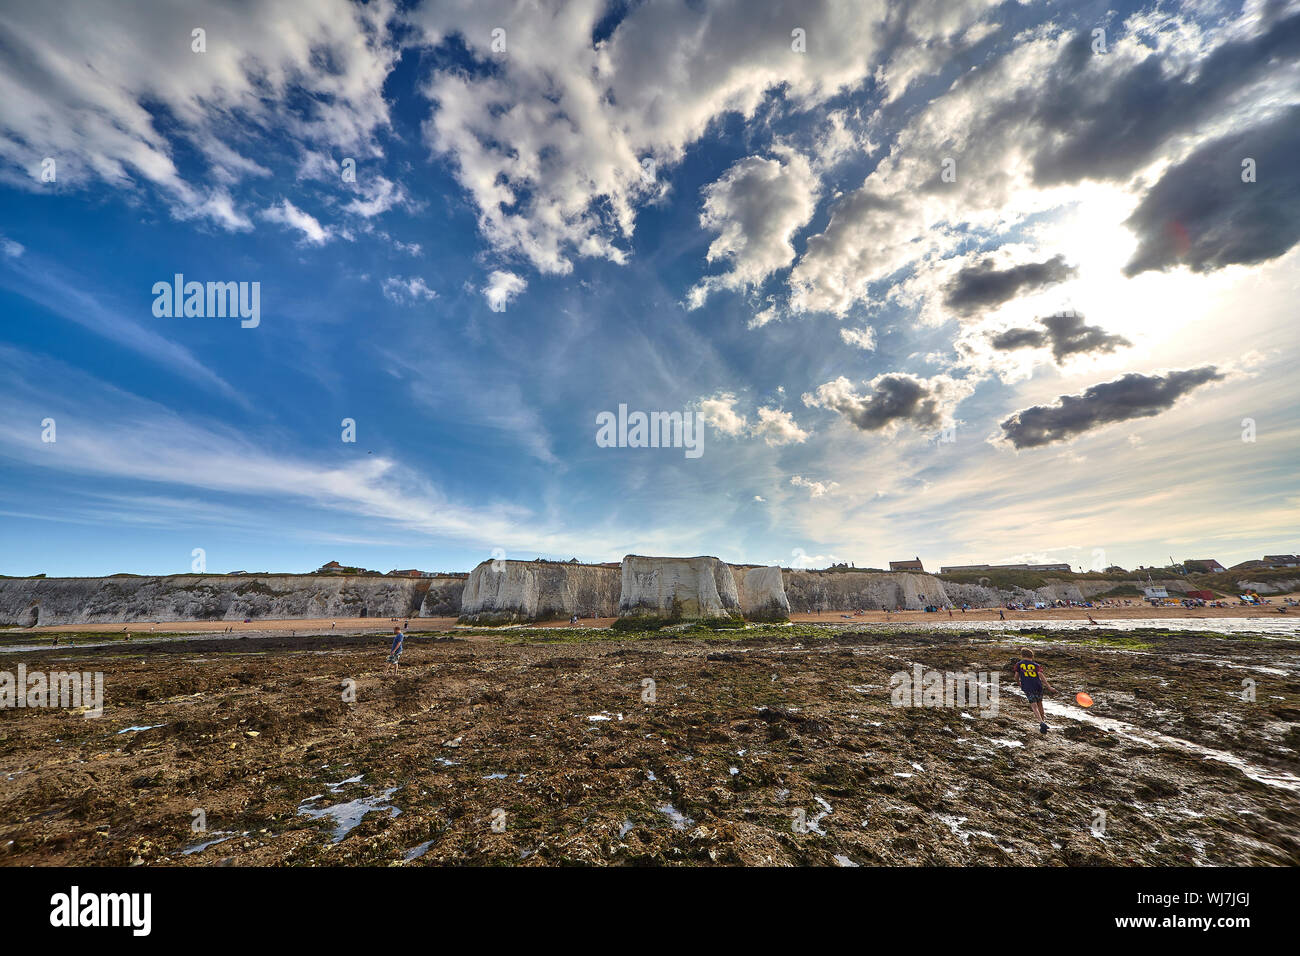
pixel 1204 217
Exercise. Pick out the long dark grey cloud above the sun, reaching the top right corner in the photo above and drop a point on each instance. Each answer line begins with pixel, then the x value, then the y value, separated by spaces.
pixel 1106 123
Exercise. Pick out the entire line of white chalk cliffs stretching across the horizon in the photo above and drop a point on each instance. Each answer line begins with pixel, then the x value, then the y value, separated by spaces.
pixel 525 591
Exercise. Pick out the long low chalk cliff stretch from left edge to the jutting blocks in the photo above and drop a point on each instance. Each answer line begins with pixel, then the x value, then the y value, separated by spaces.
pixel 28 602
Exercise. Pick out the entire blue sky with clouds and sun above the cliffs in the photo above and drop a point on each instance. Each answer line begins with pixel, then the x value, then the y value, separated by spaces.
pixel 1055 356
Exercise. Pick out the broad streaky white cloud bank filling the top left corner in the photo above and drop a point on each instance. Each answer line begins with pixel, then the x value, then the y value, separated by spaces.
pixel 86 92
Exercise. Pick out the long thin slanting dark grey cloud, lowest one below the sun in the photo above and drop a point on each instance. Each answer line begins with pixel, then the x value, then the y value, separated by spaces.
pixel 1130 397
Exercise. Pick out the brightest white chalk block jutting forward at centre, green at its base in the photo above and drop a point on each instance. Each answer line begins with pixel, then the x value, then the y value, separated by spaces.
pixel 678 587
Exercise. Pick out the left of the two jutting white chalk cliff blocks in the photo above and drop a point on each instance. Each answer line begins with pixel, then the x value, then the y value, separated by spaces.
pixel 504 591
